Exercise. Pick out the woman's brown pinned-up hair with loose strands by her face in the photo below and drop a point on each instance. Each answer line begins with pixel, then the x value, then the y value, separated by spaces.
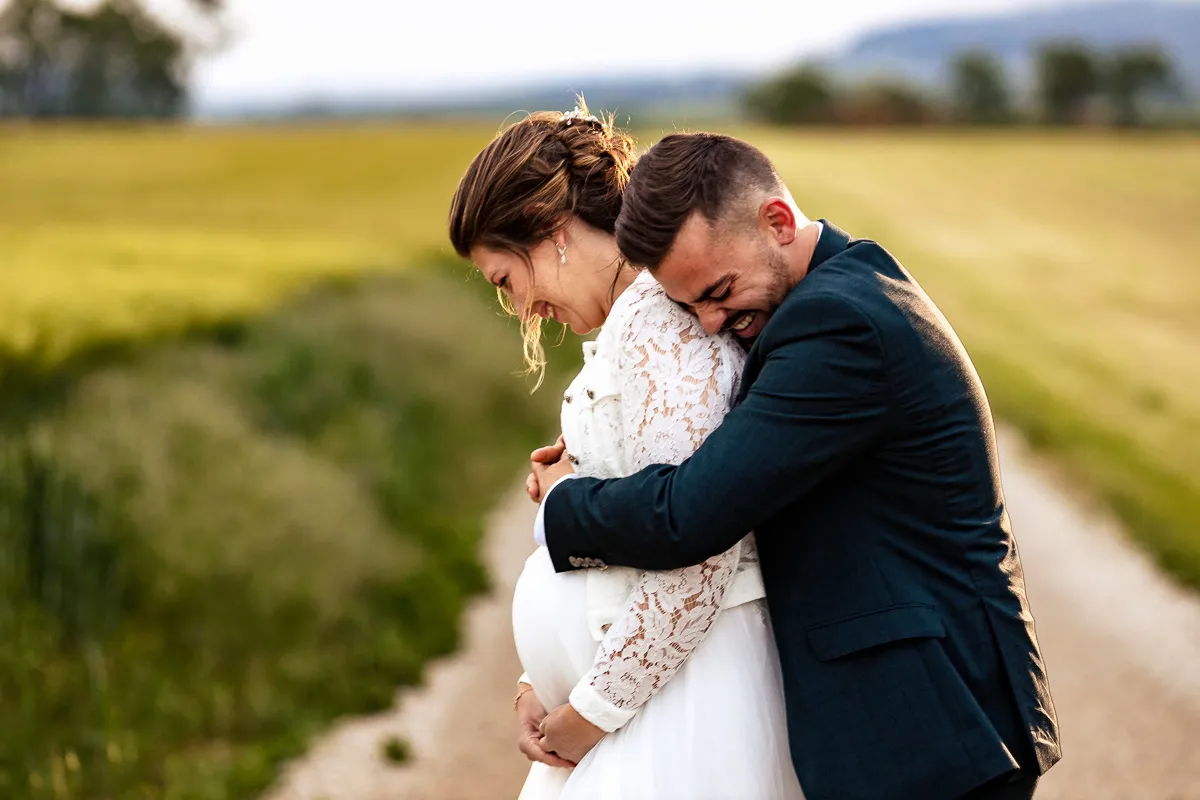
pixel 524 187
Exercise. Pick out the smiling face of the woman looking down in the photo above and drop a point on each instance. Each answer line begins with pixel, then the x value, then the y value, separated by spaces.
pixel 571 294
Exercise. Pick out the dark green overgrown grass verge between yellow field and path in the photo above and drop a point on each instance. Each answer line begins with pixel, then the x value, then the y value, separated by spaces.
pixel 214 548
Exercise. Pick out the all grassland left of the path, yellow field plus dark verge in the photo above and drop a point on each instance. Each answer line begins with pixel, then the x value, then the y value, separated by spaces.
pixel 248 519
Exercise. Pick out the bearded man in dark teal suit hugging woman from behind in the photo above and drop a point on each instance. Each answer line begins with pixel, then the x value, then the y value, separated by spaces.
pixel 863 456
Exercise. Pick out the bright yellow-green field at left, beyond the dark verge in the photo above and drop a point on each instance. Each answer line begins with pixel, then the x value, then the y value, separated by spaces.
pixel 118 234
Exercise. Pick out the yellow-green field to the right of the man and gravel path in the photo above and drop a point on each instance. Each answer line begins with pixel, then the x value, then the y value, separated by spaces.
pixel 1067 264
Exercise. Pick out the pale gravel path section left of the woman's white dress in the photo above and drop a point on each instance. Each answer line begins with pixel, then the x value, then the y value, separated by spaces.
pixel 460 725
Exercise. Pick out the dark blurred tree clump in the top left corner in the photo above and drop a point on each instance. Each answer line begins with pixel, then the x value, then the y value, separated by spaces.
pixel 113 61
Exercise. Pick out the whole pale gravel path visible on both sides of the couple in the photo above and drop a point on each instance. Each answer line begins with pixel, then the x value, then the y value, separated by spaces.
pixel 1123 647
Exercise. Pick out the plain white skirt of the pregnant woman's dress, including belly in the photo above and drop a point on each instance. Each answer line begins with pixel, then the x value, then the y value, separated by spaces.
pixel 716 732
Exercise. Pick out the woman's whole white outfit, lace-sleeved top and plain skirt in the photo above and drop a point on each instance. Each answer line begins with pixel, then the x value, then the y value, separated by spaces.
pixel 680 666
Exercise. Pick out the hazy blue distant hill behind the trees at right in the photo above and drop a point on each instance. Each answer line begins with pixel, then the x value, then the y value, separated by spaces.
pixel 922 51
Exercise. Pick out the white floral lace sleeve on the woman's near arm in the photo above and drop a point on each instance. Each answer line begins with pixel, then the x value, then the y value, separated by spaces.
pixel 677 384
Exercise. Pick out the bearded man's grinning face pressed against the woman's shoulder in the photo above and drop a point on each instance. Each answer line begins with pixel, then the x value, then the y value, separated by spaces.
pixel 731 276
